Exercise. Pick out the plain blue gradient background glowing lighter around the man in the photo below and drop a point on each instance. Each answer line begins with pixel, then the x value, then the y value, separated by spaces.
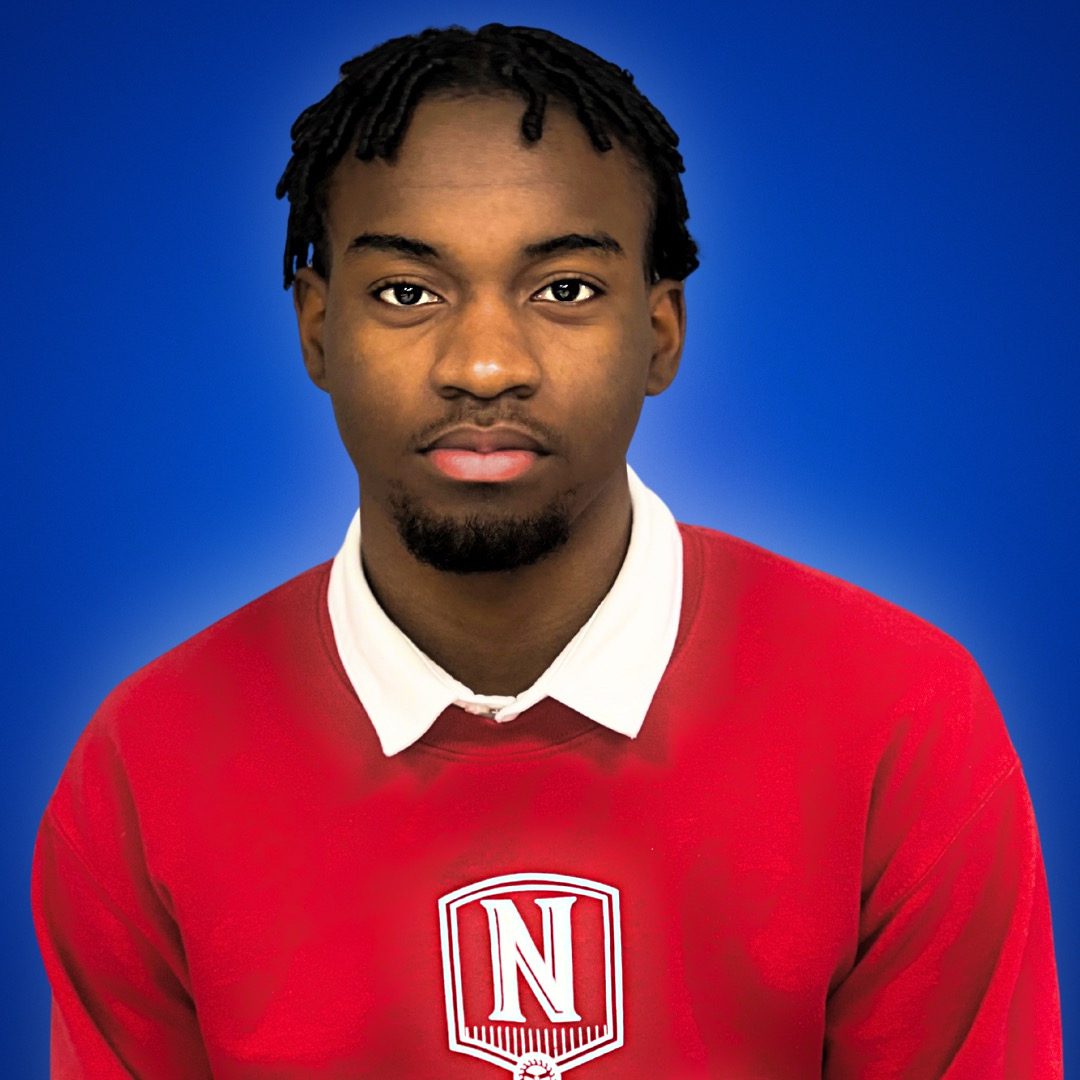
pixel 881 377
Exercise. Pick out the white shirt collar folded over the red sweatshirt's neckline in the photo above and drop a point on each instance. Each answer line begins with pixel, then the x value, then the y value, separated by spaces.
pixel 610 670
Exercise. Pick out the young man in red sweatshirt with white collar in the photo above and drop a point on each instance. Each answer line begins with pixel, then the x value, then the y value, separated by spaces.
pixel 531 778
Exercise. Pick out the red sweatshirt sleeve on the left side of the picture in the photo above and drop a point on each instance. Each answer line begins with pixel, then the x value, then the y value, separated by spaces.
pixel 121 1006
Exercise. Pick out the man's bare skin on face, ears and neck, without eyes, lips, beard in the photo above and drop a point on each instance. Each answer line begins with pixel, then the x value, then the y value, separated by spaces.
pixel 491 345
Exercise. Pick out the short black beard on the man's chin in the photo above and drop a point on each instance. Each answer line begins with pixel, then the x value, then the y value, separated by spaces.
pixel 481 544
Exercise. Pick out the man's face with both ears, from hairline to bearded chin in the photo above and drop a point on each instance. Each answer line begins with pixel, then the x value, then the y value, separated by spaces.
pixel 487 333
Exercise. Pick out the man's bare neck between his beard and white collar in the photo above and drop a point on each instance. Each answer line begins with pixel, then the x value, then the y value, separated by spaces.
pixel 497 633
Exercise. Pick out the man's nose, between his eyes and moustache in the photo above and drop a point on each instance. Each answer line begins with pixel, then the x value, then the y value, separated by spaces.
pixel 485 354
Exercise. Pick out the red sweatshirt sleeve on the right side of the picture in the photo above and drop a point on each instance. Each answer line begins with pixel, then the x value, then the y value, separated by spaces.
pixel 954 975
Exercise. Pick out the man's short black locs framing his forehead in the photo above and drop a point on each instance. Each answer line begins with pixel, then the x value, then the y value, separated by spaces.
pixel 371 107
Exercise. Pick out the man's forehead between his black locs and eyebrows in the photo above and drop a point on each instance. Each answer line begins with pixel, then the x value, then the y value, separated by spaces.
pixel 465 174
